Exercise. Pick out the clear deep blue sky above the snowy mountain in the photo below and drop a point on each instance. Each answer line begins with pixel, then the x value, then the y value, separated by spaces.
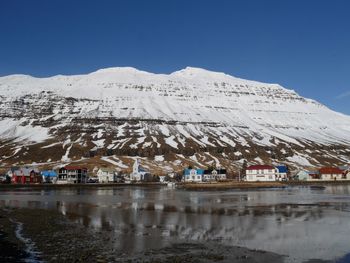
pixel 301 44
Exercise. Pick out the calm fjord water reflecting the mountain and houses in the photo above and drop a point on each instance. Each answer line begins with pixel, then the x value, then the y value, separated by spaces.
pixel 300 222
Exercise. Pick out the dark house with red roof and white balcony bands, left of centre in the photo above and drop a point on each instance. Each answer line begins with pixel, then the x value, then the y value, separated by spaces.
pixel 72 175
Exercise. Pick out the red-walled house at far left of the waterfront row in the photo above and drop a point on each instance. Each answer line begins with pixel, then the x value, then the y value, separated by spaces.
pixel 25 175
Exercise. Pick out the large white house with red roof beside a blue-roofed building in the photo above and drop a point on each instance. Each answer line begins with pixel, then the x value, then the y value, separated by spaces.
pixel 265 173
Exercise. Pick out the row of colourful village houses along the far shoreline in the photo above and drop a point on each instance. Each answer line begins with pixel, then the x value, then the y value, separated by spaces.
pixel 75 174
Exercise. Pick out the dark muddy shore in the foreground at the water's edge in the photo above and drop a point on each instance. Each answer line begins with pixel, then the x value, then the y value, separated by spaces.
pixel 47 236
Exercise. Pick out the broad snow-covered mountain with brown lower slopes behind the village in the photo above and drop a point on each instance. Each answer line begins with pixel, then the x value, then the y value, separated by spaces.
pixel 189 117
